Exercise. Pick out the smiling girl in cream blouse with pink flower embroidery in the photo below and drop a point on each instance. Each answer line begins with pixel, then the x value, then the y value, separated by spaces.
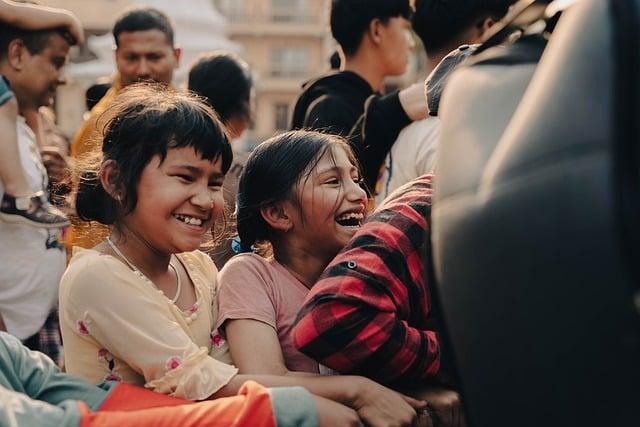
pixel 140 307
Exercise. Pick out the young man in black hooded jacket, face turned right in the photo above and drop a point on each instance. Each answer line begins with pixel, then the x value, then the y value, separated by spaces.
pixel 375 40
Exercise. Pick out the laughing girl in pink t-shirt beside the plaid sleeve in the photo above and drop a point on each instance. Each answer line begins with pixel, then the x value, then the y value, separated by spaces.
pixel 301 195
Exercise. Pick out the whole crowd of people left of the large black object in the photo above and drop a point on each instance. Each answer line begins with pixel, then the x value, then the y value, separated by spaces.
pixel 198 284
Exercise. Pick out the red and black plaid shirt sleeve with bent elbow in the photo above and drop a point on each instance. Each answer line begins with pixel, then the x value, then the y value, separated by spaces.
pixel 368 312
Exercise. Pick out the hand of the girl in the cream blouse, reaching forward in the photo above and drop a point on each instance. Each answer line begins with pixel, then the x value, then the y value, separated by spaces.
pixel 380 406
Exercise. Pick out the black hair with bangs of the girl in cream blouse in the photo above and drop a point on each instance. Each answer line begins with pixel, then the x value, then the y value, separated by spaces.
pixel 146 120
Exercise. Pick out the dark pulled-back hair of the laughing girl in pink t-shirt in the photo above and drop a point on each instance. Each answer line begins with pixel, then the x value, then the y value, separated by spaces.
pixel 271 174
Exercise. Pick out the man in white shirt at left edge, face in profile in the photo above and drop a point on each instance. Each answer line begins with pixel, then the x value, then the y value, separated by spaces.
pixel 32 260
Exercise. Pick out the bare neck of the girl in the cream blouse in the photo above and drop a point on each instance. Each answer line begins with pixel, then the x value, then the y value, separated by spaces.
pixel 140 253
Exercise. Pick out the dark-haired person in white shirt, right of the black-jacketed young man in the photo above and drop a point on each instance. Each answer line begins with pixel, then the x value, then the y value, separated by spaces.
pixel 442 25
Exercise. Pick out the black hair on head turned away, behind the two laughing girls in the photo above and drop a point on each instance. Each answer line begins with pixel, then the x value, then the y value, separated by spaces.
pixel 224 80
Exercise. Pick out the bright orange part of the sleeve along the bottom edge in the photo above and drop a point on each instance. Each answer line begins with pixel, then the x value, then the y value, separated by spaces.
pixel 251 407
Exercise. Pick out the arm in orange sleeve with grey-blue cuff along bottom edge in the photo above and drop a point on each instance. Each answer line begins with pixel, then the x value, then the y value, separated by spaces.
pixel 254 405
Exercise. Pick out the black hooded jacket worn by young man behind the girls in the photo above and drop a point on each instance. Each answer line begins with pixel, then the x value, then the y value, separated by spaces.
pixel 344 103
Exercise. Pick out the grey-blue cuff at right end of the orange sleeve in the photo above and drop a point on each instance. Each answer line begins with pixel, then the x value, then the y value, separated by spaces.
pixel 293 406
